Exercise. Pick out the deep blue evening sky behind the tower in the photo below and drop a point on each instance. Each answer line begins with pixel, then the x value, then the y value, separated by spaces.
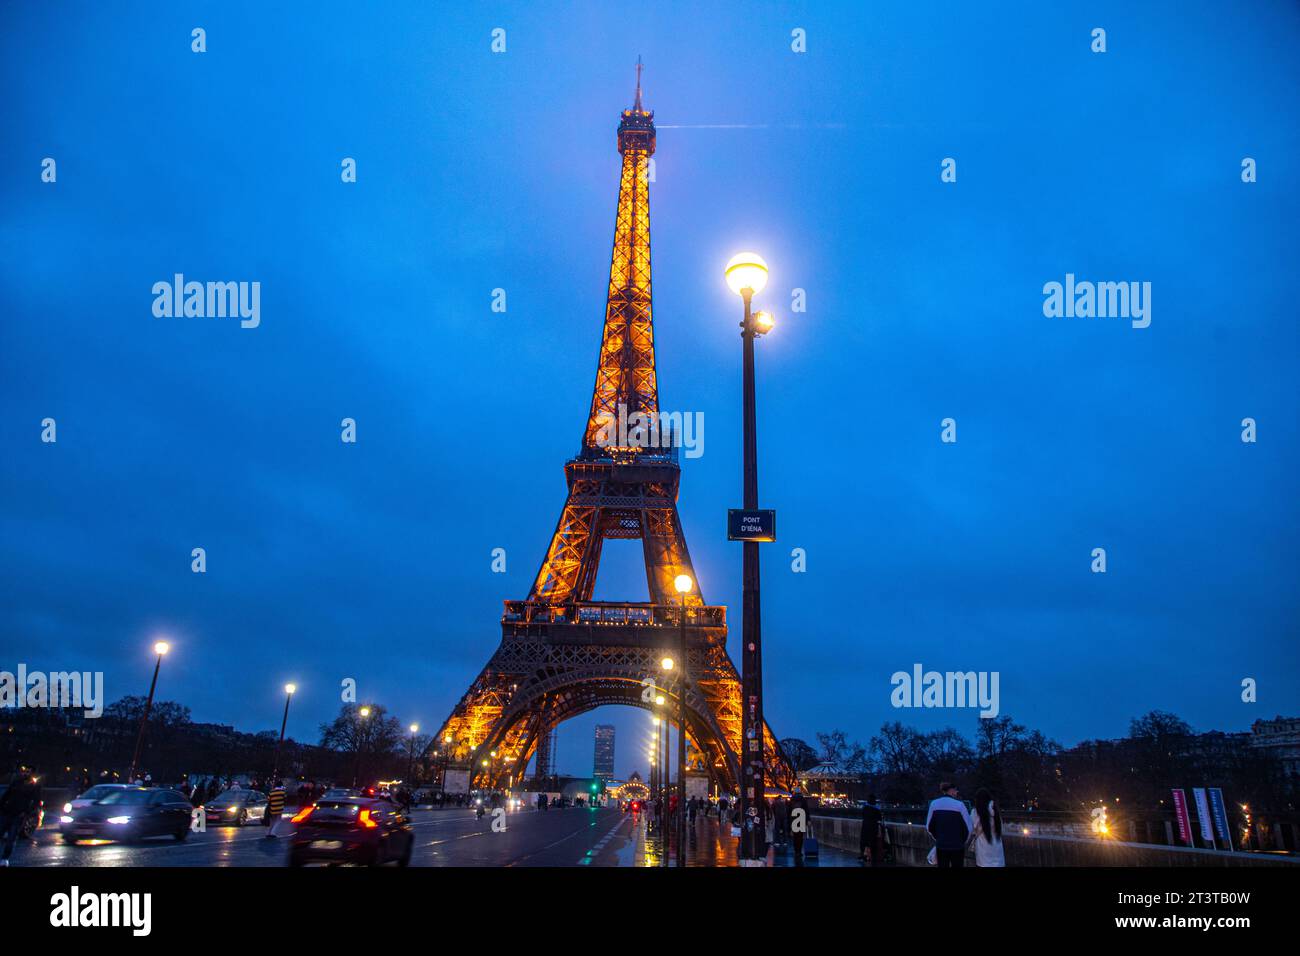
pixel 480 171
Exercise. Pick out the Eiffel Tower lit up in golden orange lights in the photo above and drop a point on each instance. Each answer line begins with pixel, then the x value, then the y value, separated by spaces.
pixel 561 652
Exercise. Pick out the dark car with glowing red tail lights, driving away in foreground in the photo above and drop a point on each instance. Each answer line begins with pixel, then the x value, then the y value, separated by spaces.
pixel 366 832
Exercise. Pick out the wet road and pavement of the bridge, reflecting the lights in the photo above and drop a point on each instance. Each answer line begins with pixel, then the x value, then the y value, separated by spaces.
pixel 570 837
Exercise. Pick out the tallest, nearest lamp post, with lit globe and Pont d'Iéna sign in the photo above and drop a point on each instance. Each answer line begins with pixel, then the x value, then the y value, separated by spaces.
pixel 747 275
